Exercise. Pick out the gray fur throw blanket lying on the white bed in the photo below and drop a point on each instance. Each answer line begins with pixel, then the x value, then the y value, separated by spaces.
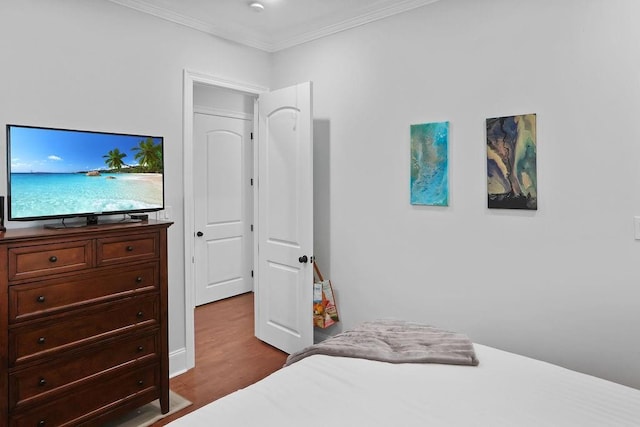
pixel 395 341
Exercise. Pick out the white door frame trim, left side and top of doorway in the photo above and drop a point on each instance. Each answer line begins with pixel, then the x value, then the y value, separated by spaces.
pixel 191 77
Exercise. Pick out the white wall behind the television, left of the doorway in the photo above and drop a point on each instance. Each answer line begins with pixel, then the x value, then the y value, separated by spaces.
pixel 94 65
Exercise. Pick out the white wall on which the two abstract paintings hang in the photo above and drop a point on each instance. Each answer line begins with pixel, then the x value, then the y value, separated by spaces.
pixel 561 283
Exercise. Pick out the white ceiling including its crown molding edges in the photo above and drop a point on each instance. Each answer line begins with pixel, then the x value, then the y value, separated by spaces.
pixel 282 23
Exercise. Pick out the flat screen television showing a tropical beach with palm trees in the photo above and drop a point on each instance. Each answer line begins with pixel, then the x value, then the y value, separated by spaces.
pixel 63 173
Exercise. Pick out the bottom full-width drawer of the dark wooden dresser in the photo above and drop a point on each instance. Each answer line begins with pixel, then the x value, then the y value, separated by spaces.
pixel 81 405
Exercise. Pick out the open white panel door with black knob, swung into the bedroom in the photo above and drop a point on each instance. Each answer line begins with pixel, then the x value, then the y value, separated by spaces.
pixel 284 285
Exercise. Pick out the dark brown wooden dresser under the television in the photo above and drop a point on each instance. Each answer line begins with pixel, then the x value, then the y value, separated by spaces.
pixel 83 323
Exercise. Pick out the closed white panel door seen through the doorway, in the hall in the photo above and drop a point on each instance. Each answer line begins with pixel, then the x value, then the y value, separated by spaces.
pixel 223 159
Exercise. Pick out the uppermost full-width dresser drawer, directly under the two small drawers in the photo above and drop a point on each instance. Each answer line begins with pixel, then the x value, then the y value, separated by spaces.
pixel 31 300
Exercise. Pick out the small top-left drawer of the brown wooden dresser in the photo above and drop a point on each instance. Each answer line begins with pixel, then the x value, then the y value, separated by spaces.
pixel 35 261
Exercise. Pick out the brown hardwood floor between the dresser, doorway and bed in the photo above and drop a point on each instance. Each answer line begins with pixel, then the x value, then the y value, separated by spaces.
pixel 228 355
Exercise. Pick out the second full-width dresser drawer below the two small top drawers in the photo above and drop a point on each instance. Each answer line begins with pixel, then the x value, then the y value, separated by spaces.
pixel 44 338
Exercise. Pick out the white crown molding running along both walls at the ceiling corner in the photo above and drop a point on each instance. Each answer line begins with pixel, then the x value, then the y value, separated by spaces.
pixel 272 45
